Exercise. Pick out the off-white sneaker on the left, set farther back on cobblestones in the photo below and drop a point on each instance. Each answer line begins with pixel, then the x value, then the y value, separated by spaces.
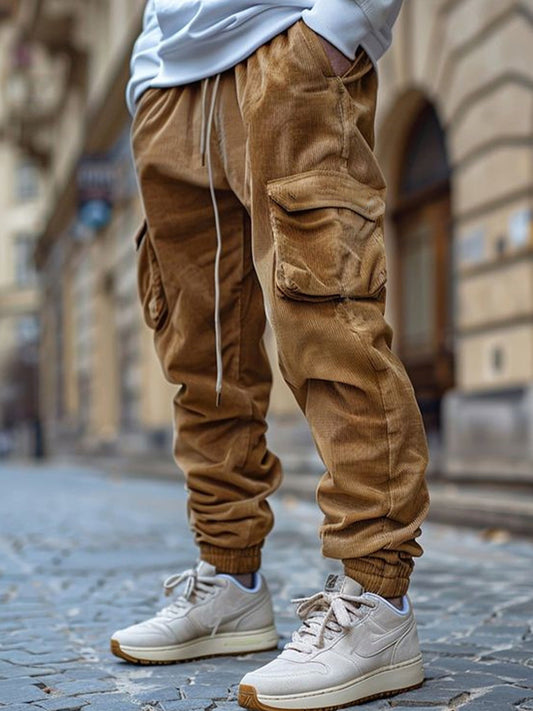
pixel 215 615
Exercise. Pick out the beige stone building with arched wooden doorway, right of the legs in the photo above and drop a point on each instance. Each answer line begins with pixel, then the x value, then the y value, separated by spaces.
pixel 455 138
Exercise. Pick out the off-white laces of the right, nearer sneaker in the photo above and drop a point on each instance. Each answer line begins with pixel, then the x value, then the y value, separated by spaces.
pixel 324 616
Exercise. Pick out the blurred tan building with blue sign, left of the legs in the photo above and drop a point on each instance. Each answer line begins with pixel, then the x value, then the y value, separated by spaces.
pixel 100 385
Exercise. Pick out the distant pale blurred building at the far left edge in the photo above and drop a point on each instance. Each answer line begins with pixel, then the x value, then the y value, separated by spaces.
pixel 21 206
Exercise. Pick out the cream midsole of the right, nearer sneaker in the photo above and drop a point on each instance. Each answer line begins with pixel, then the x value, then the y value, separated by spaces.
pixel 397 677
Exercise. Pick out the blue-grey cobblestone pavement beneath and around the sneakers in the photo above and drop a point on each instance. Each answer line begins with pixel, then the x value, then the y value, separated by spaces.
pixel 82 553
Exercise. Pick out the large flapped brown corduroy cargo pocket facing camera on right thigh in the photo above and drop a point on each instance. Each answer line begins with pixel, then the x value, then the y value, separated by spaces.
pixel 328 236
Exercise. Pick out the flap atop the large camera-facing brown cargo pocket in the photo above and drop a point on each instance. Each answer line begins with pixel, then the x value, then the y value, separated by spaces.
pixel 322 188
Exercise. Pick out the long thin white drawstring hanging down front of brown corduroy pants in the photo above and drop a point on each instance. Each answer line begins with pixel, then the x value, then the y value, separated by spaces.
pixel 205 149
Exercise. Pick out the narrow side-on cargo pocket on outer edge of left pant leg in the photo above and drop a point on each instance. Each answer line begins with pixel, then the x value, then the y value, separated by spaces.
pixel 149 280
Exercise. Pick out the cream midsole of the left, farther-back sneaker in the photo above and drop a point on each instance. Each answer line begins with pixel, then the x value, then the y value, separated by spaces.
pixel 223 643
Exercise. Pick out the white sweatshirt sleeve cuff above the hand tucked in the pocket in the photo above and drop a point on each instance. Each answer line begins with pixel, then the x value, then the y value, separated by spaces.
pixel 341 22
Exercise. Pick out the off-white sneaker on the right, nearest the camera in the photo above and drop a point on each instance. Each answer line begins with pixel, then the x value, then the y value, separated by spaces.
pixel 352 646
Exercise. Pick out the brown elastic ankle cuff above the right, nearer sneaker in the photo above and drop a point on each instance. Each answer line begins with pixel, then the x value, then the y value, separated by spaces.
pixel 385 579
